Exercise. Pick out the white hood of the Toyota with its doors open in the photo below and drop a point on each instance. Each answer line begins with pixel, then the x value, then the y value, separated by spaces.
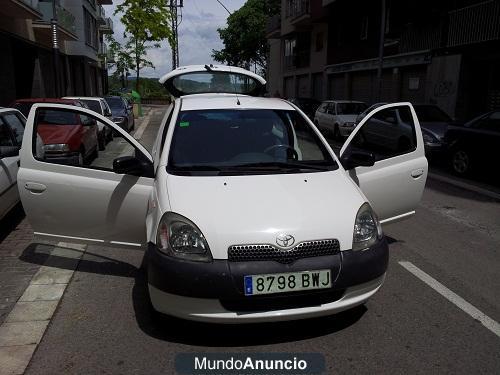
pixel 237 210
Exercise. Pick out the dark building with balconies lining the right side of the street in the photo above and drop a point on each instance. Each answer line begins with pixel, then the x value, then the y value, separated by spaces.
pixel 445 53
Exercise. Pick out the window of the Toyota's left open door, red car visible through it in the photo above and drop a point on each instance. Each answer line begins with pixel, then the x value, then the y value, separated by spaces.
pixel 76 145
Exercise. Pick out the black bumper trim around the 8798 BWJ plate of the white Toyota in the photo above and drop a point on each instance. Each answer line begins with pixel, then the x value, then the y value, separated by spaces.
pixel 223 280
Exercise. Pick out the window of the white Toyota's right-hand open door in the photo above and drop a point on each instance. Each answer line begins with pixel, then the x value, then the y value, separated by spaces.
pixel 388 133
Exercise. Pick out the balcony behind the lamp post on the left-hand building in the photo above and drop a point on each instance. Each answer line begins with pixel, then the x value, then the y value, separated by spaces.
pixel 65 23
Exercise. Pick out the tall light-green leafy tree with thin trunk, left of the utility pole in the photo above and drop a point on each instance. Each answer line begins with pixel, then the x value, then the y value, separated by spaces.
pixel 147 23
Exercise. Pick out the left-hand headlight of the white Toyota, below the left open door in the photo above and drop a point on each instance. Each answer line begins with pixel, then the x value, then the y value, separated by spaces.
pixel 179 237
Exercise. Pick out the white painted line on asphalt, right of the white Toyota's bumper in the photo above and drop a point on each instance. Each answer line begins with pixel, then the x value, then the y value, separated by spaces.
pixel 454 298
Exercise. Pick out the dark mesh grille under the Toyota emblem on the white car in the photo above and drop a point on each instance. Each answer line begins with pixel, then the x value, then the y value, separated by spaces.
pixel 266 252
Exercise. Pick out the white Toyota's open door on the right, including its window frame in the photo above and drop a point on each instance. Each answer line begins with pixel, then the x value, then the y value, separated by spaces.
pixel 395 182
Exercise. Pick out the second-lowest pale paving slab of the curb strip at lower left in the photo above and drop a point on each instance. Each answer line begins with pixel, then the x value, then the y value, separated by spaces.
pixel 22 333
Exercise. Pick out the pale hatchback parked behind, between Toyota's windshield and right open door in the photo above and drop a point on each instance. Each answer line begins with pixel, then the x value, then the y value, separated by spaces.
pixel 338 117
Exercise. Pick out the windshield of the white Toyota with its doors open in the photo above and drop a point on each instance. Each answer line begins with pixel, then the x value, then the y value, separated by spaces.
pixel 236 142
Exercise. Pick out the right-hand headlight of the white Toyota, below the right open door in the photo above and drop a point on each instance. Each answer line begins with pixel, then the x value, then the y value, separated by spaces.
pixel 367 229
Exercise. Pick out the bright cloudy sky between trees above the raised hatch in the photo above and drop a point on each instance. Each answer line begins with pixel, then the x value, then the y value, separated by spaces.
pixel 198 34
